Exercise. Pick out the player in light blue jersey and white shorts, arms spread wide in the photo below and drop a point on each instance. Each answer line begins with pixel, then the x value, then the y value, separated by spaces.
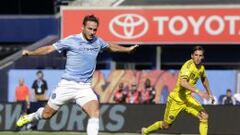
pixel 81 50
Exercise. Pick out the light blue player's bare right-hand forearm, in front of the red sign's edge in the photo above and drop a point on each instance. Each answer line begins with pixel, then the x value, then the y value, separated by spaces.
pixel 117 48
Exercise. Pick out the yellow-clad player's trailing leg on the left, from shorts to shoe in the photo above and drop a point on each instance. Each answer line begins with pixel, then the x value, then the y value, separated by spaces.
pixel 172 110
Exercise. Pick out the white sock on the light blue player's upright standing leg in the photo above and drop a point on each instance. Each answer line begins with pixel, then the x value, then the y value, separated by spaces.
pixel 93 126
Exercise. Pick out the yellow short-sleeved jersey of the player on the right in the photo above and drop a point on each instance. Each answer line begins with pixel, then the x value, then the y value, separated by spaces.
pixel 191 73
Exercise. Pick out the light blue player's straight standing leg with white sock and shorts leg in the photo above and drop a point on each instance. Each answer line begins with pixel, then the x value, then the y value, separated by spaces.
pixel 89 102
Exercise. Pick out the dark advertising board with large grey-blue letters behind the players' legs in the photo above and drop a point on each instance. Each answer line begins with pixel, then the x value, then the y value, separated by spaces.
pixel 127 118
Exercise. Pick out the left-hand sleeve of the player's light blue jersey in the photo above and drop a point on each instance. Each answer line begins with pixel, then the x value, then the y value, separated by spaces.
pixel 62 45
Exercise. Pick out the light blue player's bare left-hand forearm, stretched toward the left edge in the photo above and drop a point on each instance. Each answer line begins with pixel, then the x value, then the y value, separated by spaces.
pixel 40 51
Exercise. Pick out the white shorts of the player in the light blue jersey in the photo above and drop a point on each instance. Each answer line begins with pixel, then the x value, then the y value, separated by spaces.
pixel 70 90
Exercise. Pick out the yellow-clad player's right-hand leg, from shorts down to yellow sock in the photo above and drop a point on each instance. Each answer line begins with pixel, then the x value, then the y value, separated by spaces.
pixel 196 109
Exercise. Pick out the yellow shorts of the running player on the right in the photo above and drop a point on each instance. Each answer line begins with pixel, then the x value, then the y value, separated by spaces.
pixel 173 108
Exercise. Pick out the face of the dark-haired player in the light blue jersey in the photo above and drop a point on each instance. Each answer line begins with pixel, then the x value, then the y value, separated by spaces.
pixel 90 30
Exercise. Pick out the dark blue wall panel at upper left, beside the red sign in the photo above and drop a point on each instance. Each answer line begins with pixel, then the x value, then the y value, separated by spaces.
pixel 27 28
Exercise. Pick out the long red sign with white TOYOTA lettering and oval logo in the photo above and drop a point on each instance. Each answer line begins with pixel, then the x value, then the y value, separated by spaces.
pixel 162 25
